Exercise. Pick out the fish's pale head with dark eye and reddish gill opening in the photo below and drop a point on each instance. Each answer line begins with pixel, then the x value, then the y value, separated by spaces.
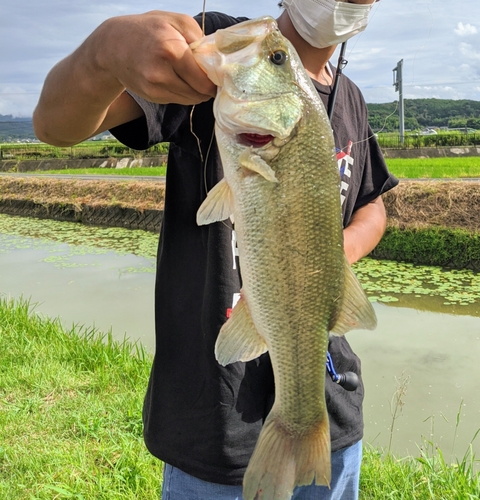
pixel 261 83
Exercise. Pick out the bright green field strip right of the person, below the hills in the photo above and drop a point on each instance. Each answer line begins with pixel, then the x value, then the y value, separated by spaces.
pixel 434 168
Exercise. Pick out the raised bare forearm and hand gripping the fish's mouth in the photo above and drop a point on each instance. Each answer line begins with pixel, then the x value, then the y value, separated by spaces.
pixel 147 53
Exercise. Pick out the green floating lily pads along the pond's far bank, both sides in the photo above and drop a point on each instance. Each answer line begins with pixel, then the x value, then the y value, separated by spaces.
pixel 403 284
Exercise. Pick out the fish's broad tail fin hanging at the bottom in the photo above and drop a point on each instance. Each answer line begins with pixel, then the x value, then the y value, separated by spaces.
pixel 283 460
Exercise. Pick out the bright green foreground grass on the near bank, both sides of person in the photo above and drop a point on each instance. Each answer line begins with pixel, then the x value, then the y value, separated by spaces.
pixel 70 423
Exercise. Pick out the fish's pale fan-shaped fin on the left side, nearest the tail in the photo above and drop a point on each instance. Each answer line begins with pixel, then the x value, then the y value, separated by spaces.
pixel 239 339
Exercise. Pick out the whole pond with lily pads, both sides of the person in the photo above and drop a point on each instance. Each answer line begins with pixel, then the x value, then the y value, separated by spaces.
pixel 419 365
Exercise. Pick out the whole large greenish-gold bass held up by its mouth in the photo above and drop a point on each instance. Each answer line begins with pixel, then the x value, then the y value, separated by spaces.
pixel 281 189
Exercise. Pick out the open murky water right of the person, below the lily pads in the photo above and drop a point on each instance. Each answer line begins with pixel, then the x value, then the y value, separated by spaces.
pixel 433 357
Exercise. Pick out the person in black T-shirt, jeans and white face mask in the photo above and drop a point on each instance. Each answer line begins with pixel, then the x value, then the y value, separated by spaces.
pixel 136 76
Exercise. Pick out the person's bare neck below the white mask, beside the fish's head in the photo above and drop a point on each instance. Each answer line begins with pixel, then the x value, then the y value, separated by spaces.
pixel 314 60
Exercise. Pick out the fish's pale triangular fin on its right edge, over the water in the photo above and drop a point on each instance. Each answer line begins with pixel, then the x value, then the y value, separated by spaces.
pixel 357 312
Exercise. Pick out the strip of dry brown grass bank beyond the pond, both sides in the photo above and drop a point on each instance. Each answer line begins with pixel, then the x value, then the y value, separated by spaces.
pixel 453 204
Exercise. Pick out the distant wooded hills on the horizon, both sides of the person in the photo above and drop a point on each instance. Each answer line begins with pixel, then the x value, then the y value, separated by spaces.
pixel 419 113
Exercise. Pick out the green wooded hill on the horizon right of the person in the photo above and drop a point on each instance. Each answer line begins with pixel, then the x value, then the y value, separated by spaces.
pixel 420 113
